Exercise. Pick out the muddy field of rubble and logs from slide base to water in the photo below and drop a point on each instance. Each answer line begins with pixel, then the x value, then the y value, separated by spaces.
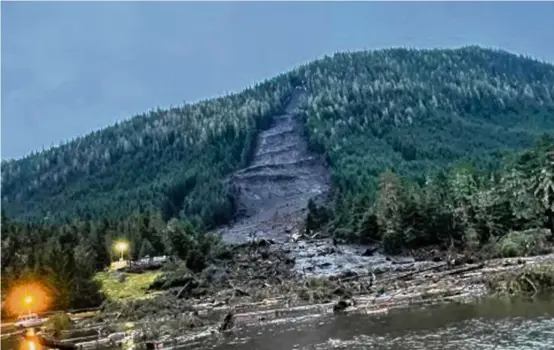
pixel 261 286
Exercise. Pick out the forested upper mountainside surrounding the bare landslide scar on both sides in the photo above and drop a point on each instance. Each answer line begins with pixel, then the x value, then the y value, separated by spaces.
pixel 410 111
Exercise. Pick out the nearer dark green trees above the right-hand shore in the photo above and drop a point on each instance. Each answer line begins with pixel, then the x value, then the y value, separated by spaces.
pixel 466 208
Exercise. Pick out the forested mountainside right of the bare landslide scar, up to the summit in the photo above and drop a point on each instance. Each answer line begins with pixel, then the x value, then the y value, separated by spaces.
pixel 418 111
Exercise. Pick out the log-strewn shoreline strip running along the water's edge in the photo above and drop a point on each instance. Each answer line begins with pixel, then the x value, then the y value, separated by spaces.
pixel 304 298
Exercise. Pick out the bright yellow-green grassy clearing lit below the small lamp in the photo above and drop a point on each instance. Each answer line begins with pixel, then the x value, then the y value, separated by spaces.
pixel 134 287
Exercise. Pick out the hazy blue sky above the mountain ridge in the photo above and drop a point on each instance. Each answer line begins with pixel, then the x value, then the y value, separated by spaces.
pixel 70 68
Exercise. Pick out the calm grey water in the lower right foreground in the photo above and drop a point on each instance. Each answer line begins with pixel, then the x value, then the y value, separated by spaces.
pixel 493 324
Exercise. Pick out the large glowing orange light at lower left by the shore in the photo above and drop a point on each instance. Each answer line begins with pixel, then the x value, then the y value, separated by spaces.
pixel 24 298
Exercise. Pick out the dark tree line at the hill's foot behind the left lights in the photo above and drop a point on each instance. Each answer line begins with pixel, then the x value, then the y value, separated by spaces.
pixel 64 258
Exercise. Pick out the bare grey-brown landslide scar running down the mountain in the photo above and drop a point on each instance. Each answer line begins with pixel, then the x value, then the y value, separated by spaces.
pixel 273 191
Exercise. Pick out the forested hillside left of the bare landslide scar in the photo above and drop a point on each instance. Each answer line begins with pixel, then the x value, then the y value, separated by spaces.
pixel 169 160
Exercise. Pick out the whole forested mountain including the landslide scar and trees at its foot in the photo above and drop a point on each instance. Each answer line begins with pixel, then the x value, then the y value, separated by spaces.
pixel 447 155
